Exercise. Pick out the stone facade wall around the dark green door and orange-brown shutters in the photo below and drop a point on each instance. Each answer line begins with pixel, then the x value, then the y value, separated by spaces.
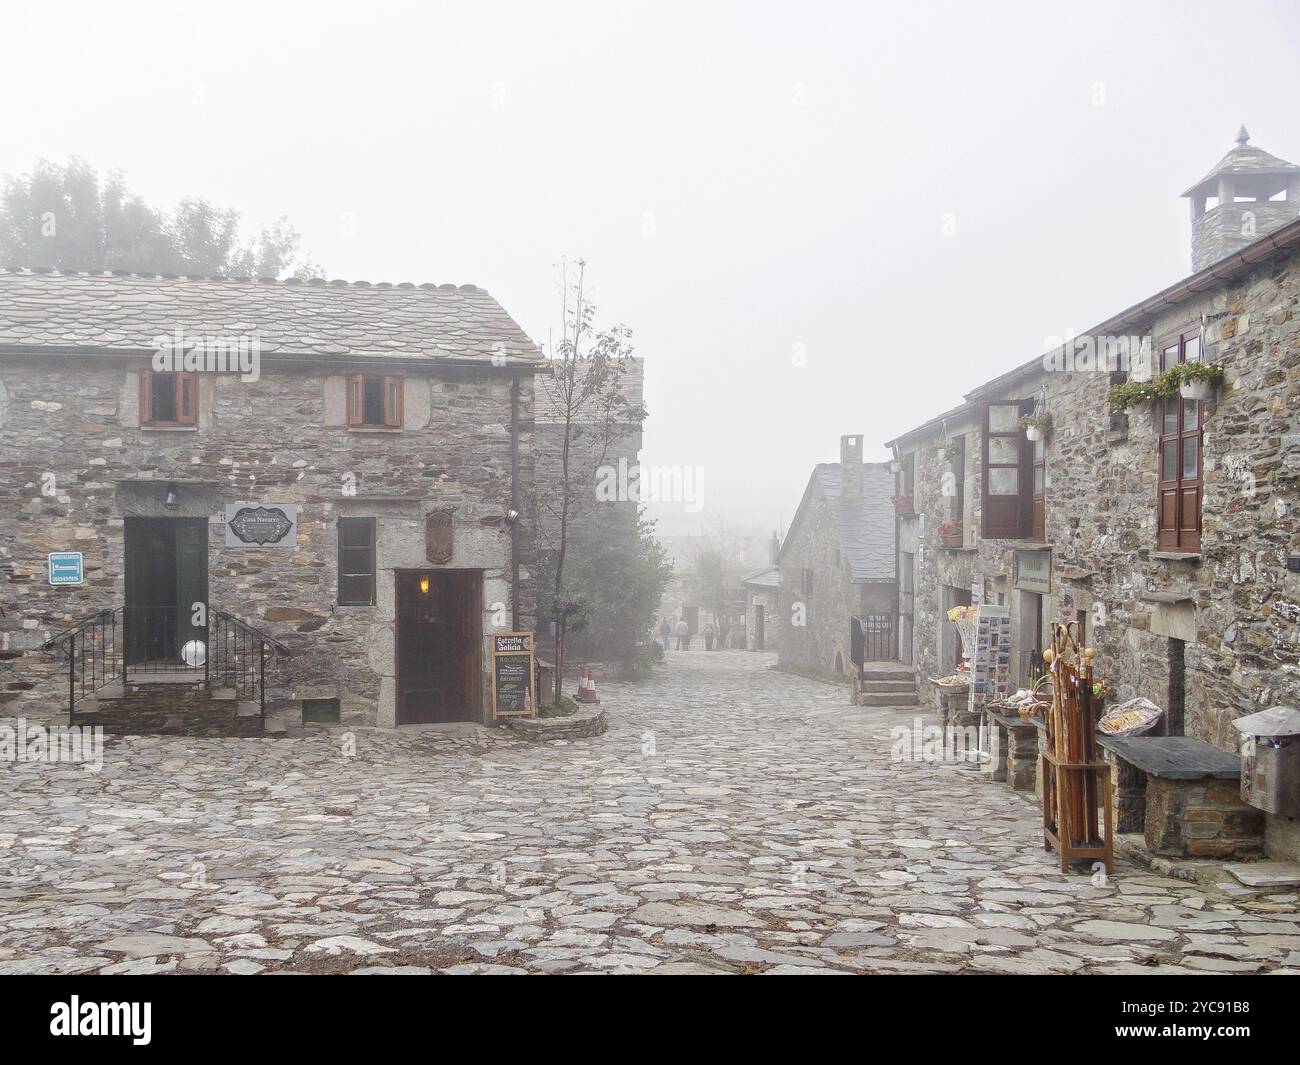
pixel 279 440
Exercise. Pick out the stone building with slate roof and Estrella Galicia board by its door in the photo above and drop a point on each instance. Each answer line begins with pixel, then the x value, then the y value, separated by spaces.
pixel 345 510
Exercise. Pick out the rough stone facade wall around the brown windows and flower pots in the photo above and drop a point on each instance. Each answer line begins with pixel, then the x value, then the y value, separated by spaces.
pixel 1233 612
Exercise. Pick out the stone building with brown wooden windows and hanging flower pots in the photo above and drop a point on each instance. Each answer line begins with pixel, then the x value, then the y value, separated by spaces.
pixel 1169 532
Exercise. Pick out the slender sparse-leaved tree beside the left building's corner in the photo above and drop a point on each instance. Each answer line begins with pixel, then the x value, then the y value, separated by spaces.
pixel 592 413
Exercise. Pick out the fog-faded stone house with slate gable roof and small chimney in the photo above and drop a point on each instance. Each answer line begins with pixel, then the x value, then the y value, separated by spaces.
pixel 838 562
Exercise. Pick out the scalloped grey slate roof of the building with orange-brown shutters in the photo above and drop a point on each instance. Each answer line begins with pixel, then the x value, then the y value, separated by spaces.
pixel 313 319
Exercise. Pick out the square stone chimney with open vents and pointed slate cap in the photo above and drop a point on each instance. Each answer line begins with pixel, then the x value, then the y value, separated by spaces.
pixel 1234 205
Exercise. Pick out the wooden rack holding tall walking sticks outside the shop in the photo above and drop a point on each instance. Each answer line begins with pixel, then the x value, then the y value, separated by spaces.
pixel 1076 781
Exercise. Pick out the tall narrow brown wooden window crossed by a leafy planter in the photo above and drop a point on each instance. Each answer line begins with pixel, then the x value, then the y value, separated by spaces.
pixel 1180 457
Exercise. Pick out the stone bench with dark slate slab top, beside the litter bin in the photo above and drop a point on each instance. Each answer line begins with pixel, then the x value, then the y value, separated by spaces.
pixel 1185 796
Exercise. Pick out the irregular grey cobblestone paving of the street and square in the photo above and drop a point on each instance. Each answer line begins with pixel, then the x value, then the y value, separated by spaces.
pixel 733 820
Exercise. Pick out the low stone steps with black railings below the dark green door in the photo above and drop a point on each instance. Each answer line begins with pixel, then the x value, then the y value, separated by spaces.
pixel 175 708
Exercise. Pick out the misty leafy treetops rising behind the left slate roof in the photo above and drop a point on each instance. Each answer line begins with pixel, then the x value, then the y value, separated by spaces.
pixel 67 218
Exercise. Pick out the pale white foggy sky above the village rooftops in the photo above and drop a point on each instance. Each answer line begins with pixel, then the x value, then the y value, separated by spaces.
pixel 742 179
